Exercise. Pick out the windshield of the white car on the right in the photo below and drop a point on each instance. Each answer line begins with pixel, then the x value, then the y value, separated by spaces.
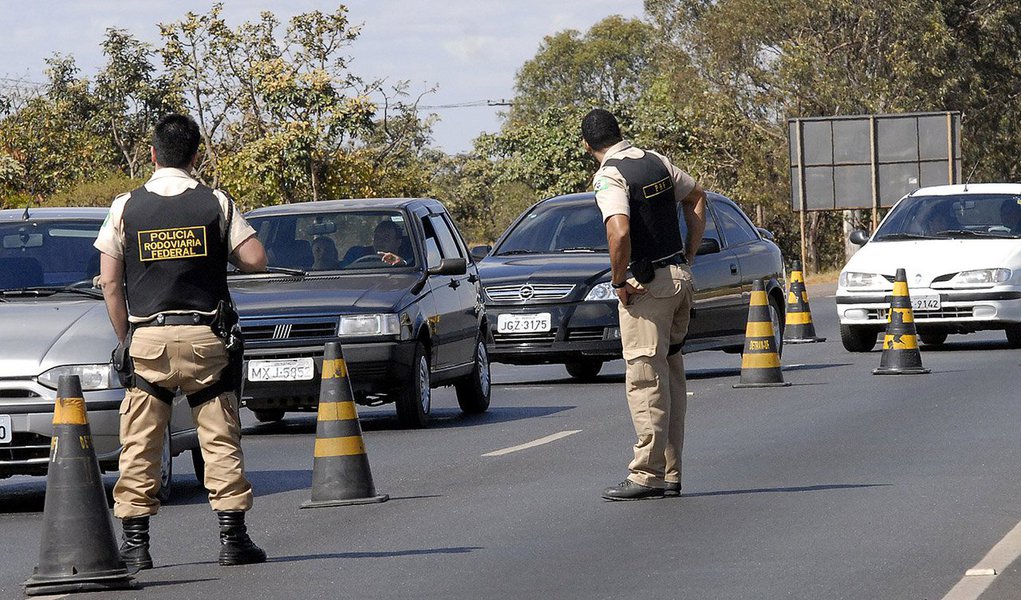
pixel 964 216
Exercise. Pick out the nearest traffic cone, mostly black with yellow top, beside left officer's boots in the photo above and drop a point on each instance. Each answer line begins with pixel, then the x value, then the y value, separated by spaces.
pixel 79 548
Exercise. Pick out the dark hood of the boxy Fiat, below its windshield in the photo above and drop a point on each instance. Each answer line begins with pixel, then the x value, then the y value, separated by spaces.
pixel 264 295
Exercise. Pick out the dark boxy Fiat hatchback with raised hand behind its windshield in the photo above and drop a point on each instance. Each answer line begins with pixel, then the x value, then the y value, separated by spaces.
pixel 392 280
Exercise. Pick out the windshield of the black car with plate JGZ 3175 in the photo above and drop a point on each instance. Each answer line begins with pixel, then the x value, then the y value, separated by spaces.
pixel 557 228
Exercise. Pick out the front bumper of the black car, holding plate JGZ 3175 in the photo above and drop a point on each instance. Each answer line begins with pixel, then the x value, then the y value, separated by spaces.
pixel 579 331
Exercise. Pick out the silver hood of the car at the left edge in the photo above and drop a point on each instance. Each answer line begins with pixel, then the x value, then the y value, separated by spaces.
pixel 38 335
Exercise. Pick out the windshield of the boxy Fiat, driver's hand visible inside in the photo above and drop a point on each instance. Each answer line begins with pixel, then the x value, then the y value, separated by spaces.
pixel 350 240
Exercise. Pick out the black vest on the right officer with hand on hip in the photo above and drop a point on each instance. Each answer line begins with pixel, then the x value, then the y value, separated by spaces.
pixel 656 233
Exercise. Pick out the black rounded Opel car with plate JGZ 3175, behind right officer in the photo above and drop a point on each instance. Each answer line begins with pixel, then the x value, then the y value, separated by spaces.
pixel 549 299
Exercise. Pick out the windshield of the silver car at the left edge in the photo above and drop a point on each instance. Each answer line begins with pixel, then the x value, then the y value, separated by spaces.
pixel 48 254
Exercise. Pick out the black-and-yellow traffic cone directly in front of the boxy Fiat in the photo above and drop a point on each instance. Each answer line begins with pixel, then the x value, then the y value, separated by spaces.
pixel 341 467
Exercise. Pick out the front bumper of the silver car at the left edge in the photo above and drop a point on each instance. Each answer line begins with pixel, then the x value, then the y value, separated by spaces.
pixel 31 409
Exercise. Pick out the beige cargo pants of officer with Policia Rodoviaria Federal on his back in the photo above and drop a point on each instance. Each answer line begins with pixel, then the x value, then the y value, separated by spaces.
pixel 190 358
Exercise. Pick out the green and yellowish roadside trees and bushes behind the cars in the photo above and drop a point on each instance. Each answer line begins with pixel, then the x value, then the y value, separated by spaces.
pixel 710 83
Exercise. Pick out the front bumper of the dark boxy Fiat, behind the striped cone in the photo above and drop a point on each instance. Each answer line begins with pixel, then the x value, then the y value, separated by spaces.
pixel 375 370
